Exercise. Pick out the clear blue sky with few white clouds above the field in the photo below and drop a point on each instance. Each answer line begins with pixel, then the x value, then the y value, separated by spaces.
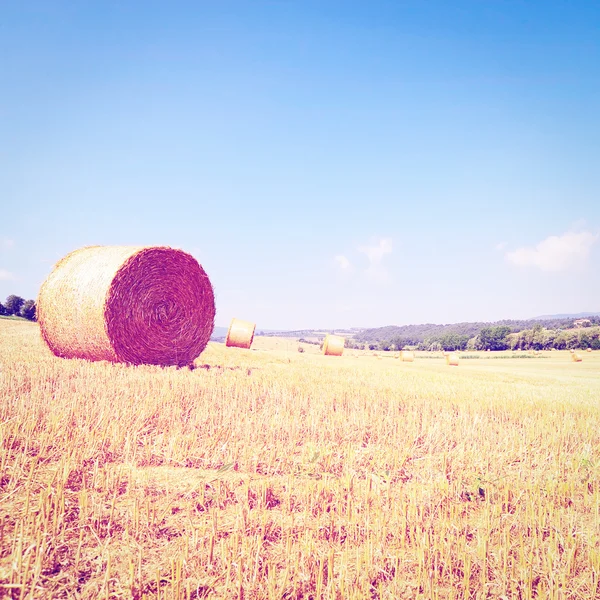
pixel 330 164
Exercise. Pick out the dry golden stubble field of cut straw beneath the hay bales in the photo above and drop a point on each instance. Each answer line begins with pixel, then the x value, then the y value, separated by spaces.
pixel 267 473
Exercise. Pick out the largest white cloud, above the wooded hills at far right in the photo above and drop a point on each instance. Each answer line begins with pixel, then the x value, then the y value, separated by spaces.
pixel 557 252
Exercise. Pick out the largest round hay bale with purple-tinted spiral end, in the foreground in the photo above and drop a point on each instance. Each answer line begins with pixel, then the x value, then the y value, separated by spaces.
pixel 138 305
